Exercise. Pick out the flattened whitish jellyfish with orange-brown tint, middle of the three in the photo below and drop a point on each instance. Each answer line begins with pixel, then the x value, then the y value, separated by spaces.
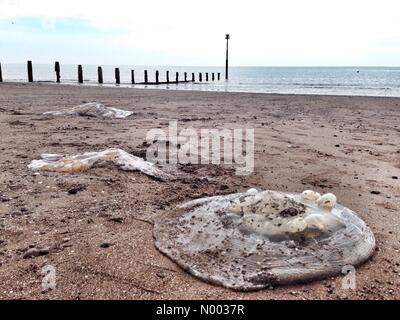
pixel 83 162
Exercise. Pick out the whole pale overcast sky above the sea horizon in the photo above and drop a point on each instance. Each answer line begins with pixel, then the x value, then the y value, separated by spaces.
pixel 175 32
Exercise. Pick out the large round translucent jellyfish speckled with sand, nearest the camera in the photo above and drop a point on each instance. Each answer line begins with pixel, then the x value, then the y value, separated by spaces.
pixel 252 240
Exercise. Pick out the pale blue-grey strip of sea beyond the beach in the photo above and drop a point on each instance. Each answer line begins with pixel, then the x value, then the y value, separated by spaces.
pixel 359 81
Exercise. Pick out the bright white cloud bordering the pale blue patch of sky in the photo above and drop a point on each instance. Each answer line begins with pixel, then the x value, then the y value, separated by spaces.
pixel 283 32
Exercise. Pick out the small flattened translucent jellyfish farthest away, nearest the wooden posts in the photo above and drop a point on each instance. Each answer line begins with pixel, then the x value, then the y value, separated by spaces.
pixel 92 109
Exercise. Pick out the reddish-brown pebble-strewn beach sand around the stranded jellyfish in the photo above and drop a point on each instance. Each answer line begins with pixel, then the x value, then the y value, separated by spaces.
pixel 345 145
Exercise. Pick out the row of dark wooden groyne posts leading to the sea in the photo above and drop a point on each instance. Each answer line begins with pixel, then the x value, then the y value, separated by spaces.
pixel 118 76
